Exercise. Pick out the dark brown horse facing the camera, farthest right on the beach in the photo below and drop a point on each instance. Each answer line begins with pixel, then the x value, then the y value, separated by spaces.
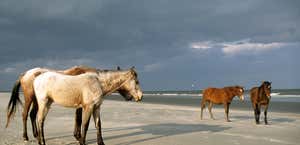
pixel 260 96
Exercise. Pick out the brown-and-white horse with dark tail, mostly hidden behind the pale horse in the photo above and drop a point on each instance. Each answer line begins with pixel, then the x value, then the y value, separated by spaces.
pixel 25 81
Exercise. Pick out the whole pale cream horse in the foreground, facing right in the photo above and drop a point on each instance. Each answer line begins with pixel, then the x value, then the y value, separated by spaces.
pixel 84 91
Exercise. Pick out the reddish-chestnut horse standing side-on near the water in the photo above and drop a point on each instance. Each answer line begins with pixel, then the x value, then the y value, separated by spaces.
pixel 221 96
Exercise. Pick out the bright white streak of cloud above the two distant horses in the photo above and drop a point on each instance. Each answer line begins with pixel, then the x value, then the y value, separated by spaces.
pixel 239 47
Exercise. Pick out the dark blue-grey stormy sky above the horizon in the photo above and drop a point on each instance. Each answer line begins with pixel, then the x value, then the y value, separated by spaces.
pixel 173 44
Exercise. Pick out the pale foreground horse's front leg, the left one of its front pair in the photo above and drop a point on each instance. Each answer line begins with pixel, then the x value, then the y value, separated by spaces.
pixel 87 111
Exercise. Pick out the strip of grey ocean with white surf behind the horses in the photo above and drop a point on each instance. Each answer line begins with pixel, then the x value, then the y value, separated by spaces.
pixel 282 100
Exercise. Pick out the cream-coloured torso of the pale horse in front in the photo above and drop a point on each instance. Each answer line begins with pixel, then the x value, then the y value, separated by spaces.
pixel 66 90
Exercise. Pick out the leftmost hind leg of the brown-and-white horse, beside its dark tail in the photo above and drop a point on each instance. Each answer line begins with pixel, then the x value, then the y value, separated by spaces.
pixel 28 101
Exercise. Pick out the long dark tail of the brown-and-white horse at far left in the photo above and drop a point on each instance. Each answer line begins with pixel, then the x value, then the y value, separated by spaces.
pixel 14 99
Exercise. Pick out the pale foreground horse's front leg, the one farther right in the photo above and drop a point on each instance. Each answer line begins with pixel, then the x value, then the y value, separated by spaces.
pixel 97 120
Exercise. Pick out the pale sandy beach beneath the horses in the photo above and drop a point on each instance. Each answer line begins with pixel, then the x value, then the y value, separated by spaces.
pixel 130 123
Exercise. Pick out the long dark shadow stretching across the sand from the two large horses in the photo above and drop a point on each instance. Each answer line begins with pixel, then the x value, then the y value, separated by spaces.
pixel 159 131
